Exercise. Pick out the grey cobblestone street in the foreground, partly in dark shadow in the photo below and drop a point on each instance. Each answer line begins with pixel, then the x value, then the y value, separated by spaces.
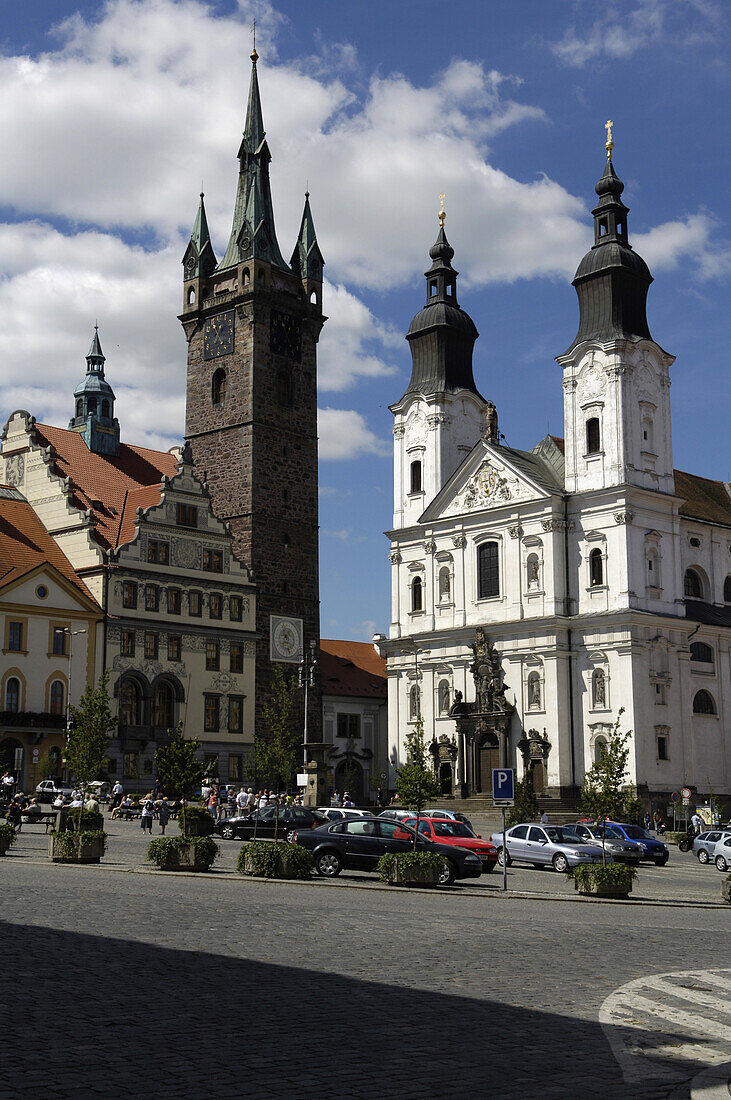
pixel 125 984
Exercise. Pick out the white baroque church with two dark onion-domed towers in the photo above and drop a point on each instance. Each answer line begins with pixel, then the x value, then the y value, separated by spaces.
pixel 536 595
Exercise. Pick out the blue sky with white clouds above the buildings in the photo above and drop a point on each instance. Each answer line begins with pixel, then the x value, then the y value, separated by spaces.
pixel 113 115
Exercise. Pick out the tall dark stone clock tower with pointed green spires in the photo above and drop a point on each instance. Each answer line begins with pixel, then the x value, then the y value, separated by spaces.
pixel 252 323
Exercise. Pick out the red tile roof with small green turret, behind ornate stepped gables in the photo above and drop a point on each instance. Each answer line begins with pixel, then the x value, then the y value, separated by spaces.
pixel 121 483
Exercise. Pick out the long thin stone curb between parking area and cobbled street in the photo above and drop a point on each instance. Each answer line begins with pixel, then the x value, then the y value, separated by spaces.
pixel 496 895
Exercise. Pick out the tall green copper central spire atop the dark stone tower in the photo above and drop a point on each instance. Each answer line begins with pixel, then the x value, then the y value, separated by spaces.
pixel 253 233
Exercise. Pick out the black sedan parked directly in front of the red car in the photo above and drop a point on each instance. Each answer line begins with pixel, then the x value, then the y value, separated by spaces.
pixel 359 844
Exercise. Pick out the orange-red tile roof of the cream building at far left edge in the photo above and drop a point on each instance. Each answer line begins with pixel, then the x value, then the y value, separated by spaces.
pixel 26 544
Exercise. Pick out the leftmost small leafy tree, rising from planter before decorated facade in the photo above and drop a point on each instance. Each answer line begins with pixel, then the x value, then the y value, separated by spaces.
pixel 92 725
